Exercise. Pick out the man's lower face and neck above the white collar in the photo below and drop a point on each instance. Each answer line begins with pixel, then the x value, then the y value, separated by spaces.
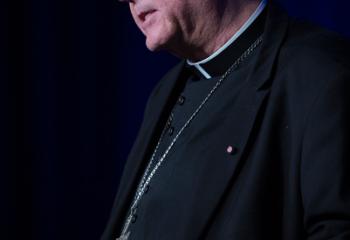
pixel 191 29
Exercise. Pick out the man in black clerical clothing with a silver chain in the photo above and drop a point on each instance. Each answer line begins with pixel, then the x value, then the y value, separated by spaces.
pixel 247 137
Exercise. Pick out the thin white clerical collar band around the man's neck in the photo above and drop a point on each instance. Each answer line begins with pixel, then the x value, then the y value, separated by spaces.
pixel 244 27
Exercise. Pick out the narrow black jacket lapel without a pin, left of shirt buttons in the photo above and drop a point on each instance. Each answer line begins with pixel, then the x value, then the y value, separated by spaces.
pixel 145 142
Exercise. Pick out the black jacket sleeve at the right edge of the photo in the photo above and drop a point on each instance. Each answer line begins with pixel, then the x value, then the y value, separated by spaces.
pixel 325 162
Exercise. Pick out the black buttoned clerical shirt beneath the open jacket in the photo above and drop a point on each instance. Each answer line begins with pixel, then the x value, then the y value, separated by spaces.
pixel 164 193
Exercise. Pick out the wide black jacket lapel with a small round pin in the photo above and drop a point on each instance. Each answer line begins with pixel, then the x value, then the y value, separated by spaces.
pixel 237 122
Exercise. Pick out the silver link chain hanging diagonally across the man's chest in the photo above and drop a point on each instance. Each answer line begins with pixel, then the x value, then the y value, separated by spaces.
pixel 146 179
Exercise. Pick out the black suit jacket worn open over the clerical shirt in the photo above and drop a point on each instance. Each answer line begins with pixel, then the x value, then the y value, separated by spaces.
pixel 289 176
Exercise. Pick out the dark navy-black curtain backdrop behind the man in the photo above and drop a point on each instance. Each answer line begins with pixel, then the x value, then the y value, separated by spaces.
pixel 74 79
